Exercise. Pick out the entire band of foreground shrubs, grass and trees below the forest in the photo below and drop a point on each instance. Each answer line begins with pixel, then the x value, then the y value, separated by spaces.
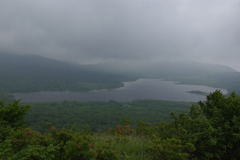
pixel 210 130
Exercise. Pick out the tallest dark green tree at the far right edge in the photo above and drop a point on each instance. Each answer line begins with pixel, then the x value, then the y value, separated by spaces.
pixel 223 113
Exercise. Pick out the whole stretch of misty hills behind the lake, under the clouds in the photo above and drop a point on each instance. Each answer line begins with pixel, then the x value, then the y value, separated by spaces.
pixel 27 73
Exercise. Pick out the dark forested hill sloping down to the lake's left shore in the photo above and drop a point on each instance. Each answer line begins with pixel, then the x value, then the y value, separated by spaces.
pixel 26 73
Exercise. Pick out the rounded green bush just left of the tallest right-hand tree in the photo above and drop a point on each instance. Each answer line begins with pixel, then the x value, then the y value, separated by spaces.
pixel 194 128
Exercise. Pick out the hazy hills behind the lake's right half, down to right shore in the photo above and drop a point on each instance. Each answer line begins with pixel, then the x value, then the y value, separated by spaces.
pixel 213 75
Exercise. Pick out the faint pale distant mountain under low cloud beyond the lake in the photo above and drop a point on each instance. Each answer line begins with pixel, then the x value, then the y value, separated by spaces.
pixel 162 69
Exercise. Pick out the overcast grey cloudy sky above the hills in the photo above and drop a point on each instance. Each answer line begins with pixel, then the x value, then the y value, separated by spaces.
pixel 94 31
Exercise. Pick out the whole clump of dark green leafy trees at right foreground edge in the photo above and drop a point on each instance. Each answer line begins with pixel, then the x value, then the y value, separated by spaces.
pixel 212 126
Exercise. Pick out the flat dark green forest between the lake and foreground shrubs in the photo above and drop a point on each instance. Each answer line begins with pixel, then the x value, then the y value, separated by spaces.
pixel 100 116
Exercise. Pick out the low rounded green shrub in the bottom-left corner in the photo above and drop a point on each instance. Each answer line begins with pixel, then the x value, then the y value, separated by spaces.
pixel 26 144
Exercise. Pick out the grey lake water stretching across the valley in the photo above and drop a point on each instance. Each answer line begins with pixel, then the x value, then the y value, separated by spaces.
pixel 140 89
